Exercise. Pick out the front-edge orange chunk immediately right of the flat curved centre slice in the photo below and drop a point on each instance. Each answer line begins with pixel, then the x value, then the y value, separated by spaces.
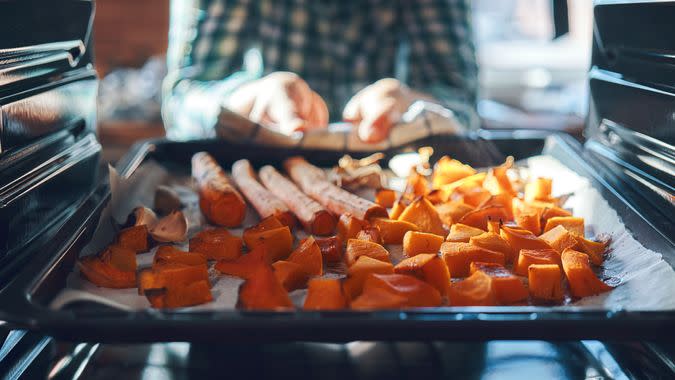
pixel 475 290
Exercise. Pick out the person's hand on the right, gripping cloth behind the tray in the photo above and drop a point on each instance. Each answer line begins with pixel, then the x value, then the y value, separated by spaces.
pixel 376 108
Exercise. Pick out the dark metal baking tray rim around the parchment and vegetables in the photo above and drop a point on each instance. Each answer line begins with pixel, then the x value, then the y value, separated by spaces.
pixel 24 301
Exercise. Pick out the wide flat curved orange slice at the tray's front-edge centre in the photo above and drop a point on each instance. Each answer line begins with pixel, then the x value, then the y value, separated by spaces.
pixel 416 293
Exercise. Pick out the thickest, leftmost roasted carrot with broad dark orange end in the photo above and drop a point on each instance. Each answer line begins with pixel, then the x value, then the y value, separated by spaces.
pixel 219 201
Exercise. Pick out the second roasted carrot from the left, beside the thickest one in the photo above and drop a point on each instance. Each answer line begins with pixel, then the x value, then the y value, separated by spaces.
pixel 264 202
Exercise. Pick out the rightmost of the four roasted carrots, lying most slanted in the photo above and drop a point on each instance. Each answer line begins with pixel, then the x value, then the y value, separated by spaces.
pixel 314 183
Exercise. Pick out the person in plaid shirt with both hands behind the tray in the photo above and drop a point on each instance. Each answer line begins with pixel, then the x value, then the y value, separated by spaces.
pixel 296 65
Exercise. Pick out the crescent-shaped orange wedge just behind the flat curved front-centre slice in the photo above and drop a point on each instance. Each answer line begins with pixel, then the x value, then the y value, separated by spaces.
pixel 429 268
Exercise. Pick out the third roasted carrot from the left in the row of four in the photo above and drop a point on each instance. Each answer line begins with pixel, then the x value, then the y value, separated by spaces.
pixel 316 219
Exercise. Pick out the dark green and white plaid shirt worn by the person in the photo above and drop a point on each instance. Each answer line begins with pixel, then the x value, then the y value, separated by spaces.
pixel 338 47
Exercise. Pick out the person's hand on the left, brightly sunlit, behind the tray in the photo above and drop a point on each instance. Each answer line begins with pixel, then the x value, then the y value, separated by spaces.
pixel 280 100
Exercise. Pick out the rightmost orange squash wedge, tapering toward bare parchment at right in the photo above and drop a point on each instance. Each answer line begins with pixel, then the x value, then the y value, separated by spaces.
pixel 583 282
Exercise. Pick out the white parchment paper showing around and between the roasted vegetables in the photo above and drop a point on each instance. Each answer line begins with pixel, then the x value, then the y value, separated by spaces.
pixel 643 280
